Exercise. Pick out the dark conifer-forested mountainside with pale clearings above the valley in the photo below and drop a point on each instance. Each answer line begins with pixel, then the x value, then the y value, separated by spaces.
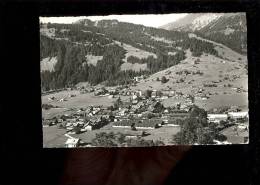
pixel 113 52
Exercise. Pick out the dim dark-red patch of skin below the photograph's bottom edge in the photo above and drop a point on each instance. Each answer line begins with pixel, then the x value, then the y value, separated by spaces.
pixel 117 166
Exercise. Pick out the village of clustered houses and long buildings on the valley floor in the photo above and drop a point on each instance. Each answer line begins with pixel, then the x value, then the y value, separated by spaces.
pixel 137 114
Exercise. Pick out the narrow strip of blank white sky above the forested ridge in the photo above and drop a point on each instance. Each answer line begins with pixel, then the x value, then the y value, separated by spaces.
pixel 152 20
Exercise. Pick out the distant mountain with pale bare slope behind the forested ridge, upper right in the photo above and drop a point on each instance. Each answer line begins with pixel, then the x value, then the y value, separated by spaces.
pixel 226 28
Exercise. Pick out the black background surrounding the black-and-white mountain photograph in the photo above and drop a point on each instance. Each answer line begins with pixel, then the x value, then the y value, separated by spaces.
pixel 24 161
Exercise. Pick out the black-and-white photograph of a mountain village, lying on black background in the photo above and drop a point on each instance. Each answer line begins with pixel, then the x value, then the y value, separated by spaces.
pixel 144 80
